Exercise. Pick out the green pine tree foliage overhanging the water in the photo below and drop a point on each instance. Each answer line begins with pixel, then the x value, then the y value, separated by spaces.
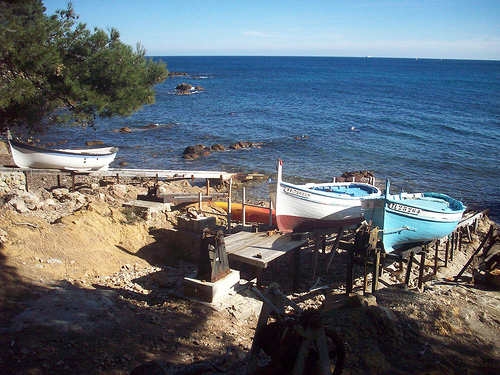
pixel 55 70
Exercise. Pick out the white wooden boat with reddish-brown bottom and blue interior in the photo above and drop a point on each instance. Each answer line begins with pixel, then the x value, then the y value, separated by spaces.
pixel 318 205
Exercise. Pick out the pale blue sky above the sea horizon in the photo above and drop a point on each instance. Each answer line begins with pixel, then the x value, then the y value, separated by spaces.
pixel 450 29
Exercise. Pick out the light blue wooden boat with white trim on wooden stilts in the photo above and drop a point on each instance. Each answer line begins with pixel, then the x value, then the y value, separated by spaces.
pixel 411 218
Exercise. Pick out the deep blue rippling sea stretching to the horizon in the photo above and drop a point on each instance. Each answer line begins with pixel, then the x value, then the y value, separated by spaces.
pixel 424 124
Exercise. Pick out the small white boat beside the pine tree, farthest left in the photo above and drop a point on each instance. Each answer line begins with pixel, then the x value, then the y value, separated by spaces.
pixel 28 156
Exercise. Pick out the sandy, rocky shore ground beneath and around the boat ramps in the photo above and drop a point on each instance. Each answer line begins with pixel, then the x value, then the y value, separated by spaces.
pixel 89 286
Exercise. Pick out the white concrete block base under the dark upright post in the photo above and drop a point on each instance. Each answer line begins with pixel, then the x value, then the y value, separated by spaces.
pixel 210 292
